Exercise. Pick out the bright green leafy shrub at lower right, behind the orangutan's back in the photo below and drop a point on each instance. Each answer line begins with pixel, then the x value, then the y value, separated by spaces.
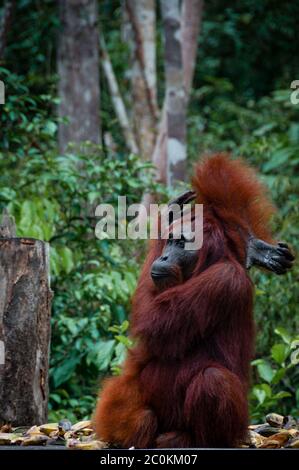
pixel 276 381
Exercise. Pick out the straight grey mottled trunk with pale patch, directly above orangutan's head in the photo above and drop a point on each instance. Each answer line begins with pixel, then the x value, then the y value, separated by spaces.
pixel 175 92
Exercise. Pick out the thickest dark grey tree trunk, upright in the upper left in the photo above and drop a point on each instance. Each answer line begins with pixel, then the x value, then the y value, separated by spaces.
pixel 78 70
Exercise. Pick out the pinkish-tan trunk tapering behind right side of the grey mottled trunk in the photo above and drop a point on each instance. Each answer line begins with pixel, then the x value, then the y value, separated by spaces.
pixel 191 23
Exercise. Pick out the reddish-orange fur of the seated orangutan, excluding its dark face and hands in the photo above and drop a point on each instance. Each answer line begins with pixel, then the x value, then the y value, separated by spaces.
pixel 185 382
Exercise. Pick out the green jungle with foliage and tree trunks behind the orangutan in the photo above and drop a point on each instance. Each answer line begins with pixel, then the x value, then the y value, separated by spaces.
pixel 122 54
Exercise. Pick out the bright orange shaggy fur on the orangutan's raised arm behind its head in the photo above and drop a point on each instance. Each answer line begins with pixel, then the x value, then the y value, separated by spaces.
pixel 232 190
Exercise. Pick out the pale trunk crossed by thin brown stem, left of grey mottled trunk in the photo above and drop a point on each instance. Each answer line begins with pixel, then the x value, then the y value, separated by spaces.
pixel 142 17
